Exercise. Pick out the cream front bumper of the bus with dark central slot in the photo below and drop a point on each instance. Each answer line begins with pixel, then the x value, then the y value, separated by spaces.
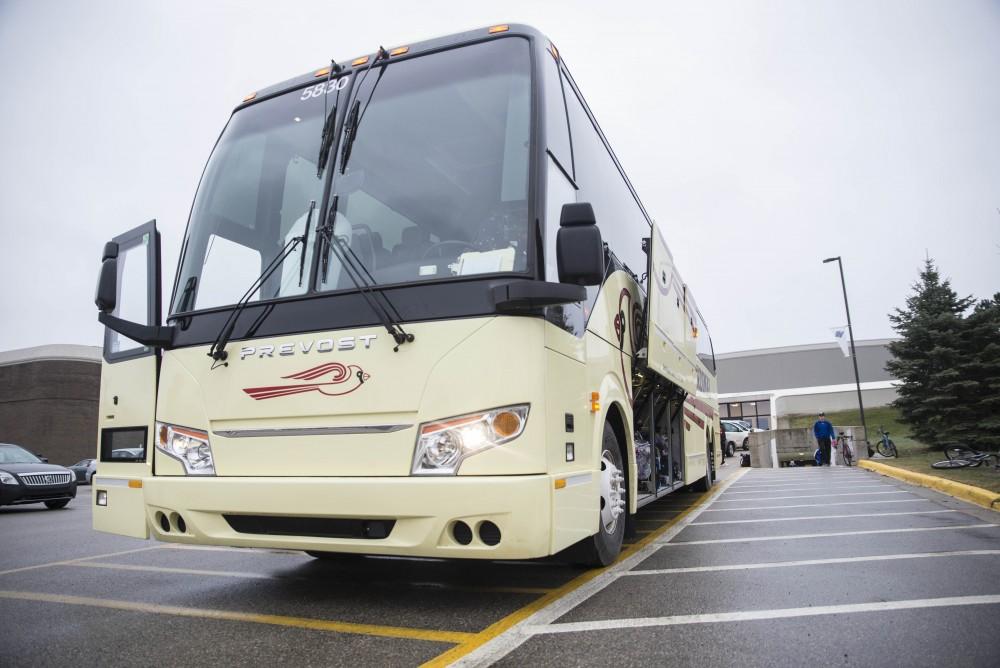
pixel 424 511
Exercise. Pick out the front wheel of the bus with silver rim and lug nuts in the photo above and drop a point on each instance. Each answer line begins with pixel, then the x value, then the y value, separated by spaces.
pixel 602 548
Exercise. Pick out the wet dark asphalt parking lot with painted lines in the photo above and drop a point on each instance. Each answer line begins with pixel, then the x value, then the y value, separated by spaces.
pixel 789 567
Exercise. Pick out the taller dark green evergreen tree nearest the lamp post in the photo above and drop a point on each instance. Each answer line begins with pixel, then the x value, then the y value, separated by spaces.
pixel 928 357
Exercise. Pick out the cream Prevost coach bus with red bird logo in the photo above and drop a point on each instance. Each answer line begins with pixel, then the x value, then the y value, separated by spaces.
pixel 419 310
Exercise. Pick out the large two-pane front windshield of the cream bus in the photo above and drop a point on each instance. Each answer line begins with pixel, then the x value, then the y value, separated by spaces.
pixel 435 185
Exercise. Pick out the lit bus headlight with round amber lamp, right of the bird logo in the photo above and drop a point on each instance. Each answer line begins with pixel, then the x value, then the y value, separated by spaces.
pixel 443 445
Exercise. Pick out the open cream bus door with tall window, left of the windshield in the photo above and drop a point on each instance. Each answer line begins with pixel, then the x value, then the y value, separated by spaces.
pixel 128 292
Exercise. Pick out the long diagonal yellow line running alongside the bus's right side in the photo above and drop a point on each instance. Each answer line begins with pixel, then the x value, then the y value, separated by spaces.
pixel 478 639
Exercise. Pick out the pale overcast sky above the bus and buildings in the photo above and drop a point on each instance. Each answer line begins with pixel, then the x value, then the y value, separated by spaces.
pixel 764 136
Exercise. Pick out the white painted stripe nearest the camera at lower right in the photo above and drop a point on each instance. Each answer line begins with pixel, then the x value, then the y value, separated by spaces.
pixel 752 615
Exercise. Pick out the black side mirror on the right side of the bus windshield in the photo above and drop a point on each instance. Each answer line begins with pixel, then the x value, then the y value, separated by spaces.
pixel 579 247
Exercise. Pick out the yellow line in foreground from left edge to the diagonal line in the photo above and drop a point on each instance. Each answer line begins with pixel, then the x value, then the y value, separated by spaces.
pixel 234 616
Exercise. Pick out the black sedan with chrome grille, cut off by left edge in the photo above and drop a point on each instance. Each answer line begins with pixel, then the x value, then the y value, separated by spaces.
pixel 24 478
